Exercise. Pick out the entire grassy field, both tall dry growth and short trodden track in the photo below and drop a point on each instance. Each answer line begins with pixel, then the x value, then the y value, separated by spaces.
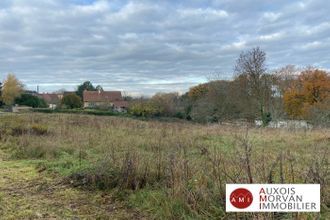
pixel 113 167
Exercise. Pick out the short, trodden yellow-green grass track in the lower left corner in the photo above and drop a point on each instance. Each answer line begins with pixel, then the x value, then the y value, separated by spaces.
pixel 27 194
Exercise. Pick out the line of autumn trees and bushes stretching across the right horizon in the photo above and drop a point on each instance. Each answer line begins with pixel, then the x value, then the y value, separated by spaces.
pixel 254 93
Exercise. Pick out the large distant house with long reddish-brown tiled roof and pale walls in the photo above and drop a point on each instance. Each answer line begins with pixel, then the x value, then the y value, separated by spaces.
pixel 105 99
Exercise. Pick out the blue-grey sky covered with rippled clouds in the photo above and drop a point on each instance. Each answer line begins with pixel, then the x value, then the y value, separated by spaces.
pixel 148 46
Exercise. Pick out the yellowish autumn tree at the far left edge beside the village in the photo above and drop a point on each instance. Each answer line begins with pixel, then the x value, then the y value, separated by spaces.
pixel 12 88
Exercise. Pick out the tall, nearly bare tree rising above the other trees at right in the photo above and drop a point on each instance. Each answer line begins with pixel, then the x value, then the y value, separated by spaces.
pixel 252 65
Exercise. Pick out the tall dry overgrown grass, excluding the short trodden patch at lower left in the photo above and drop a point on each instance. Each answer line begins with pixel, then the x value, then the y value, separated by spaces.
pixel 170 170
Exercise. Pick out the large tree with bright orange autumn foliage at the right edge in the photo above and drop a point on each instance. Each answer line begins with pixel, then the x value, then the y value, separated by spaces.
pixel 310 91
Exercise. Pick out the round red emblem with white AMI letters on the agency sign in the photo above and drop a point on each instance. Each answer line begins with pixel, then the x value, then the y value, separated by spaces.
pixel 241 198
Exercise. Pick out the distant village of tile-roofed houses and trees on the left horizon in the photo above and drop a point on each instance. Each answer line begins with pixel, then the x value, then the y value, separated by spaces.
pixel 14 97
